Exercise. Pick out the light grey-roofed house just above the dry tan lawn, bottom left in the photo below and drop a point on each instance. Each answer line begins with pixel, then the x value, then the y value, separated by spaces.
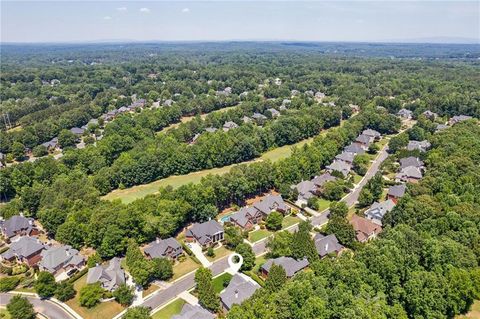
pixel 110 276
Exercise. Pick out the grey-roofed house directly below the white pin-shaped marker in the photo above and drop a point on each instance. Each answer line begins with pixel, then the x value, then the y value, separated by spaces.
pixel 240 288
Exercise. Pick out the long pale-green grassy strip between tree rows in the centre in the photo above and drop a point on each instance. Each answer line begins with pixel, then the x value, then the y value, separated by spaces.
pixel 130 194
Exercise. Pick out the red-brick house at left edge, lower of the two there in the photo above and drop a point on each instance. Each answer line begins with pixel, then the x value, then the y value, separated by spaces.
pixel 26 250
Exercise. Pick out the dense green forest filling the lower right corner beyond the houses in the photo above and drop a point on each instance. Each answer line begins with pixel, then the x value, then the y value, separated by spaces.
pixel 425 263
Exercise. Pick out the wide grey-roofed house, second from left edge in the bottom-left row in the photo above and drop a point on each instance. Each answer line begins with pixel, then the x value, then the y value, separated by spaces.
pixel 57 260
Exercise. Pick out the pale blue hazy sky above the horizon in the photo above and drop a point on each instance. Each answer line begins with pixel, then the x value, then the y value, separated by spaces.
pixel 356 21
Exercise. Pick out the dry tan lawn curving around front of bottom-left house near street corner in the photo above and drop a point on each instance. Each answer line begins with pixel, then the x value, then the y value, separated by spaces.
pixel 103 310
